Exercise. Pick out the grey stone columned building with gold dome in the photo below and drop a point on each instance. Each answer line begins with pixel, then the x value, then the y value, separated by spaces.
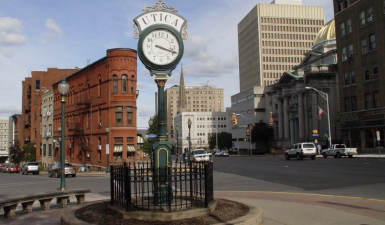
pixel 293 108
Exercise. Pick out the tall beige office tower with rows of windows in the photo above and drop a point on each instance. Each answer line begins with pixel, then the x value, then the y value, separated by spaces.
pixel 272 38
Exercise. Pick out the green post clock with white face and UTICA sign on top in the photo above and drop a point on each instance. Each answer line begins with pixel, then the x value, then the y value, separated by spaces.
pixel 160 48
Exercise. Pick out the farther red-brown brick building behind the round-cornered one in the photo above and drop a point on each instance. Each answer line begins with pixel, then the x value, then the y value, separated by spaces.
pixel 33 88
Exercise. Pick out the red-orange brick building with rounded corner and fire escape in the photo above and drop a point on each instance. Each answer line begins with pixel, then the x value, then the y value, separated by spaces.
pixel 101 95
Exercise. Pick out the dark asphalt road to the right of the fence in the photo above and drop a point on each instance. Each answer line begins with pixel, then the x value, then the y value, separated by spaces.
pixel 357 177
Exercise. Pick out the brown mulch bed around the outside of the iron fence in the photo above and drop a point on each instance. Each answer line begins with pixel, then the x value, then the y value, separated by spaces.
pixel 226 210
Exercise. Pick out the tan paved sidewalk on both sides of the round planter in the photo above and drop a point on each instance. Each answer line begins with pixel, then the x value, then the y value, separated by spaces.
pixel 278 208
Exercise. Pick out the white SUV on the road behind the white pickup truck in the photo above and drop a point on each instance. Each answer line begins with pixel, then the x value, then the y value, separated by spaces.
pixel 301 150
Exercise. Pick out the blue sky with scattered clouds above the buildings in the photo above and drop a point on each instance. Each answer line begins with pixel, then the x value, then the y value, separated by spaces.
pixel 40 34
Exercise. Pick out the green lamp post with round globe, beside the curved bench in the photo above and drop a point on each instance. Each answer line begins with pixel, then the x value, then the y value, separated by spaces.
pixel 63 88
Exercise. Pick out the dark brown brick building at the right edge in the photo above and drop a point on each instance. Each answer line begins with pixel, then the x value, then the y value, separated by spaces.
pixel 361 51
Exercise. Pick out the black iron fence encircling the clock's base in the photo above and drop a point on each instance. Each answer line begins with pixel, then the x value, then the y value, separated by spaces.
pixel 182 186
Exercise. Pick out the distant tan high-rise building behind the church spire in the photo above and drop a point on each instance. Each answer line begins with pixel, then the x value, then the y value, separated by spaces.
pixel 197 99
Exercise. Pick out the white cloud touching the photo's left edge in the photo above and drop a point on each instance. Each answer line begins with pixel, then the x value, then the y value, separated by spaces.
pixel 10 32
